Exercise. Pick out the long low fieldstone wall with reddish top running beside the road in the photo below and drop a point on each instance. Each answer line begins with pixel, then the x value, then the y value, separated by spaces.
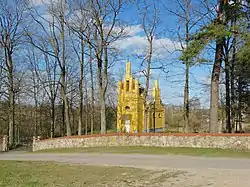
pixel 223 141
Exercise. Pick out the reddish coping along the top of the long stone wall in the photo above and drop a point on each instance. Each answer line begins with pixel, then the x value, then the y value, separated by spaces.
pixel 150 134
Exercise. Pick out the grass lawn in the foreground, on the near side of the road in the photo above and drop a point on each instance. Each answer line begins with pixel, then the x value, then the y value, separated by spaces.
pixel 40 174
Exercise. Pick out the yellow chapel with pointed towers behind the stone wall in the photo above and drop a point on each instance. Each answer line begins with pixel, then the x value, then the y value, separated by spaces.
pixel 131 111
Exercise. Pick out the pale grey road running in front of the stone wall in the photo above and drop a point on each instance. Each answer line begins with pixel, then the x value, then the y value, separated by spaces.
pixel 195 171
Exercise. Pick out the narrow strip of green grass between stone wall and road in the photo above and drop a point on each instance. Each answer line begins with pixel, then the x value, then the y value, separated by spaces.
pixel 156 150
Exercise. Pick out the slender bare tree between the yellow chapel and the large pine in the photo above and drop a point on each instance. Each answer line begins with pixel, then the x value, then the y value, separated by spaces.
pixel 189 16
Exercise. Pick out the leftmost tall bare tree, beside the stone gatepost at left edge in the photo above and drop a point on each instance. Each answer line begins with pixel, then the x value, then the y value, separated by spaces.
pixel 11 18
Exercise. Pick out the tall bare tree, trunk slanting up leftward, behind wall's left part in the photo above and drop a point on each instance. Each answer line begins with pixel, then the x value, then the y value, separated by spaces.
pixel 55 37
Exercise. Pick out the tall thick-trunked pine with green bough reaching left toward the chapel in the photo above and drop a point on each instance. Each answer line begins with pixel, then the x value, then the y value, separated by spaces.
pixel 213 31
